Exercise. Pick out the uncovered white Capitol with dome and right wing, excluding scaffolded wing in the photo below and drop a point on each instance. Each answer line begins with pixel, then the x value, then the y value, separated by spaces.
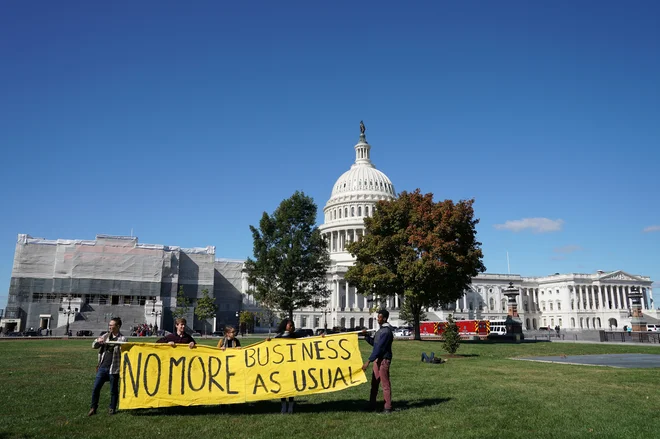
pixel 571 301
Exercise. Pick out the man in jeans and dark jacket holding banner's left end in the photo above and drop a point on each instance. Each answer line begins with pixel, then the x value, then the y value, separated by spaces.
pixel 107 368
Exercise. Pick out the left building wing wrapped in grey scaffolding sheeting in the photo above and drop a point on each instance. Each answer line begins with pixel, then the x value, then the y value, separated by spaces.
pixel 81 284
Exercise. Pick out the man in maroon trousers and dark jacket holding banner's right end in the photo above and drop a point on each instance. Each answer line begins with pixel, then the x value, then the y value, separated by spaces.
pixel 381 356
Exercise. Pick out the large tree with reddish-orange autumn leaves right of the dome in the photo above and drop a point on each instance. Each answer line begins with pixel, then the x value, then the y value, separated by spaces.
pixel 425 251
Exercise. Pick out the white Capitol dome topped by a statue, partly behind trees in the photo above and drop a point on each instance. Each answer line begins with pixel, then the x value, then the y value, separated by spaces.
pixel 354 197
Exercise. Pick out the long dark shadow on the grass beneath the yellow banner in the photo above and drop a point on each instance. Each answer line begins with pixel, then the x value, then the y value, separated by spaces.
pixel 273 407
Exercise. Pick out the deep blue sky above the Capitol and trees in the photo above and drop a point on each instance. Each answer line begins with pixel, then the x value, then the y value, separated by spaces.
pixel 185 121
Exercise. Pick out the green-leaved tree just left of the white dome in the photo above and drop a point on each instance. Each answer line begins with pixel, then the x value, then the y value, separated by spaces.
pixel 291 257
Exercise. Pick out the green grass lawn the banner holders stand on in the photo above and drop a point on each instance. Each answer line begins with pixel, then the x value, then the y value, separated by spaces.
pixel 46 387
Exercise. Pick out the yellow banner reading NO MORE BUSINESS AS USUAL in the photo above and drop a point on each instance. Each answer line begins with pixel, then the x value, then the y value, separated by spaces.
pixel 159 375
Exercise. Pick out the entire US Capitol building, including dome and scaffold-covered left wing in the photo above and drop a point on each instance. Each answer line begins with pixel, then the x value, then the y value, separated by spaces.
pixel 80 284
